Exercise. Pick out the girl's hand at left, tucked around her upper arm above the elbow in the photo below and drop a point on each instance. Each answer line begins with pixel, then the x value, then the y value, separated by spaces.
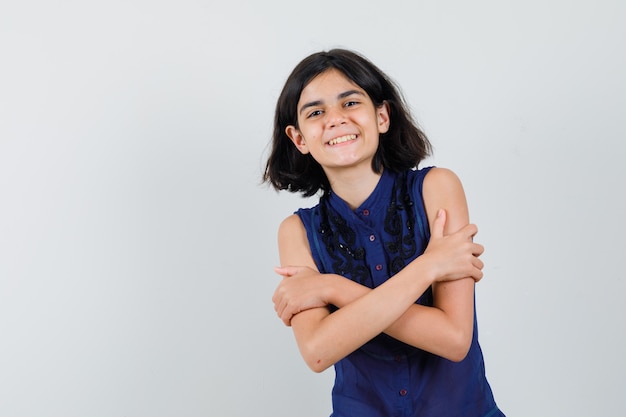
pixel 302 288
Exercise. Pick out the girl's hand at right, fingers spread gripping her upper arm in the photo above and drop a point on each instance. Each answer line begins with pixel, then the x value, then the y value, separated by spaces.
pixel 454 256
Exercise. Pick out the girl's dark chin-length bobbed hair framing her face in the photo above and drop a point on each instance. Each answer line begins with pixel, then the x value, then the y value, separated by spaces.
pixel 402 147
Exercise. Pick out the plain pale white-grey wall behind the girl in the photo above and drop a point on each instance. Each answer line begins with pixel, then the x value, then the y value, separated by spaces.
pixel 137 244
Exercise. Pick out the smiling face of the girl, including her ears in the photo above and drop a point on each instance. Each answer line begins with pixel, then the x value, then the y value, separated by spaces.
pixel 338 123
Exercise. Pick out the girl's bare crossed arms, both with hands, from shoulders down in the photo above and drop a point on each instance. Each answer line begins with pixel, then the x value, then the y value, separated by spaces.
pixel 450 265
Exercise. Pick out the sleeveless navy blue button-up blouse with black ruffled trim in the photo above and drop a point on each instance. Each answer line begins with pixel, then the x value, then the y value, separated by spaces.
pixel 386 377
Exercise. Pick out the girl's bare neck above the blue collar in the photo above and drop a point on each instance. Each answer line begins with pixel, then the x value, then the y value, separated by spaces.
pixel 354 186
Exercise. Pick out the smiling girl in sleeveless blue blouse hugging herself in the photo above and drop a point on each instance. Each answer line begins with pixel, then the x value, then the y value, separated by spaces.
pixel 378 278
